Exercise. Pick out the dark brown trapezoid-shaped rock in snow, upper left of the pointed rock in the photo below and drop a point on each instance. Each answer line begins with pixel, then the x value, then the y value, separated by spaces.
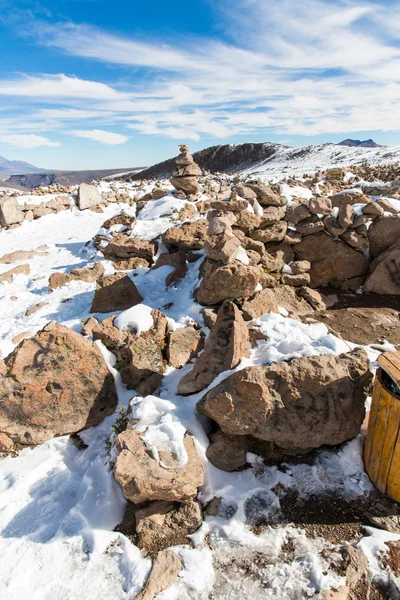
pixel 115 292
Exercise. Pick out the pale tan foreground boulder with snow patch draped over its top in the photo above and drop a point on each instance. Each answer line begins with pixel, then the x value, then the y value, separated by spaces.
pixel 144 477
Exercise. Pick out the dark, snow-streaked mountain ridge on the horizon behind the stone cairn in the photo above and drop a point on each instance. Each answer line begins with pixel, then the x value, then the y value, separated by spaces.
pixel 274 160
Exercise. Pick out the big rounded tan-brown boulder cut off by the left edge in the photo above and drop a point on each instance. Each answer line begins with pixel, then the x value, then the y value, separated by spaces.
pixel 54 383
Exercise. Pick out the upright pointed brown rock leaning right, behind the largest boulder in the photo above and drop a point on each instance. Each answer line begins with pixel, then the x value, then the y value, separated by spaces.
pixel 226 345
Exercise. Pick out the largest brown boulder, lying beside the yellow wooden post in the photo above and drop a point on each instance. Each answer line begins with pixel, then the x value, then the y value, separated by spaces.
pixel 303 403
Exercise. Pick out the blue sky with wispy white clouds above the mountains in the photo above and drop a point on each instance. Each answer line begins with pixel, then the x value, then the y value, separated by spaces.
pixel 98 84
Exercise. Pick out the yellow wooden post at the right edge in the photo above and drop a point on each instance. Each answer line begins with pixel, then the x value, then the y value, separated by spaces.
pixel 382 446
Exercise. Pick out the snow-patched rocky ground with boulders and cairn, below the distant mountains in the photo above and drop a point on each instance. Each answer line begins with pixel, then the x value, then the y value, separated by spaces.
pixel 184 376
